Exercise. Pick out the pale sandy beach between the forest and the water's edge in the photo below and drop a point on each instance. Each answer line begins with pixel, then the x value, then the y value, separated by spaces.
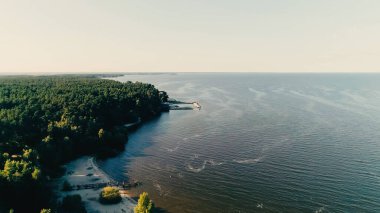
pixel 85 171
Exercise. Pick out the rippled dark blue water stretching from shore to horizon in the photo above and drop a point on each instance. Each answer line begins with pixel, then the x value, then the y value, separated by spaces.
pixel 261 143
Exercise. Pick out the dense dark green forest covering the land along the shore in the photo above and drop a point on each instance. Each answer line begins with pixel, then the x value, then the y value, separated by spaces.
pixel 45 121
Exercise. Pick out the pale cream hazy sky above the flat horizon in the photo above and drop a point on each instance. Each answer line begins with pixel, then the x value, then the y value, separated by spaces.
pixel 189 36
